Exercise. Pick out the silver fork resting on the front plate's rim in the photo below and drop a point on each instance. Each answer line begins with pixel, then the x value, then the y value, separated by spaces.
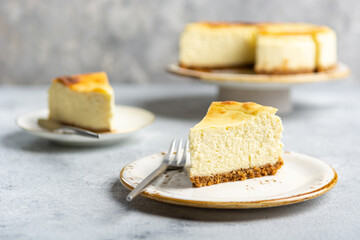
pixel 172 161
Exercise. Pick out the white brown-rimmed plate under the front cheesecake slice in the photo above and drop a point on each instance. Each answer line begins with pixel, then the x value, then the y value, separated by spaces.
pixel 300 178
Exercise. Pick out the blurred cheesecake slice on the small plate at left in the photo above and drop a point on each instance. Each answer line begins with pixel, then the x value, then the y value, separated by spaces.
pixel 84 100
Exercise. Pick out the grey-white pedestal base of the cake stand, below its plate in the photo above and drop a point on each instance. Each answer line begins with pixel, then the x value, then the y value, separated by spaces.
pixel 278 98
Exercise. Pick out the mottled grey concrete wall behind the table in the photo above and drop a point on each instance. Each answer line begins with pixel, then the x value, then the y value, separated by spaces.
pixel 133 40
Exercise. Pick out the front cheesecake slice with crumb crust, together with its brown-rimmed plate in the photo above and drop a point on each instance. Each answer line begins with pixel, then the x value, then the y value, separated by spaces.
pixel 237 161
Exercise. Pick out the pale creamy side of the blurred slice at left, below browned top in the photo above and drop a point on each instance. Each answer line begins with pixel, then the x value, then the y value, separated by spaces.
pixel 93 110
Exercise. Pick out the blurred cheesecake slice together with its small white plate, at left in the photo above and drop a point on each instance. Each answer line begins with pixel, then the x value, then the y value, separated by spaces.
pixel 85 101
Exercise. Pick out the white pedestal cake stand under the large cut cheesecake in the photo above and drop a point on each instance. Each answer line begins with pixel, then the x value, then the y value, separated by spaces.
pixel 244 85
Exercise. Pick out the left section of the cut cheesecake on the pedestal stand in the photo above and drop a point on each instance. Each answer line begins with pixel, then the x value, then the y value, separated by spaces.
pixel 217 45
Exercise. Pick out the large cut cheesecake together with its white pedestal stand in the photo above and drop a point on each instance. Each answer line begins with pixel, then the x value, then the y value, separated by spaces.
pixel 258 62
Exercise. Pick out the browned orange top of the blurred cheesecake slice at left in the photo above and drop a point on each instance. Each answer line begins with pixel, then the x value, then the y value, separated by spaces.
pixel 87 82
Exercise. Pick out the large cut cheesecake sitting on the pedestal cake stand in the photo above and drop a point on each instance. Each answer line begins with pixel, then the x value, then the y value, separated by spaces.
pixel 272 48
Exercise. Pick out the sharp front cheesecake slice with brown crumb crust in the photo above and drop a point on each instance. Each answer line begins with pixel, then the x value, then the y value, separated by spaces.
pixel 235 141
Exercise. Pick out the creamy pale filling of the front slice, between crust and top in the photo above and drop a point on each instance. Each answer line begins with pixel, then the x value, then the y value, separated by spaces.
pixel 254 142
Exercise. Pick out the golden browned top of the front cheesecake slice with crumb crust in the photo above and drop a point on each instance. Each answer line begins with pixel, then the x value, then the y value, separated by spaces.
pixel 231 112
